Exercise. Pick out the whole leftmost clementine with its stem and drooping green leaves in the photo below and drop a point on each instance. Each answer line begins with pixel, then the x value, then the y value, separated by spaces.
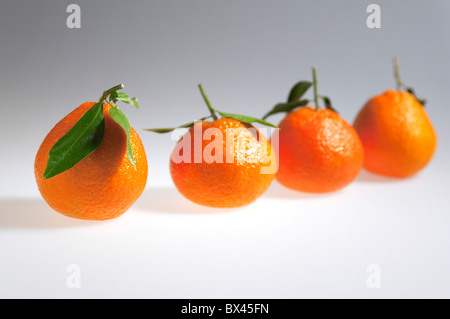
pixel 92 164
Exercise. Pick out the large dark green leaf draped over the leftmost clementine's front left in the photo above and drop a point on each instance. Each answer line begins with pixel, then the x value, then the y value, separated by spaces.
pixel 80 141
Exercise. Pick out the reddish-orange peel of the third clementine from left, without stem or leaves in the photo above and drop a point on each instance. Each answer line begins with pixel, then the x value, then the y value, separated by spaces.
pixel 319 151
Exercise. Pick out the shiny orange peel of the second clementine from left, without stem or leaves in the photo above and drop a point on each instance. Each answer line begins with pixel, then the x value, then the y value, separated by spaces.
pixel 222 184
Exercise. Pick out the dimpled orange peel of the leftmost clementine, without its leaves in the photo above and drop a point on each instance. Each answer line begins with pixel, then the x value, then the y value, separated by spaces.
pixel 103 185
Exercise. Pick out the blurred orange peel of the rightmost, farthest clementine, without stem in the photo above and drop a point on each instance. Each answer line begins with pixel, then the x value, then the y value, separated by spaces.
pixel 397 134
